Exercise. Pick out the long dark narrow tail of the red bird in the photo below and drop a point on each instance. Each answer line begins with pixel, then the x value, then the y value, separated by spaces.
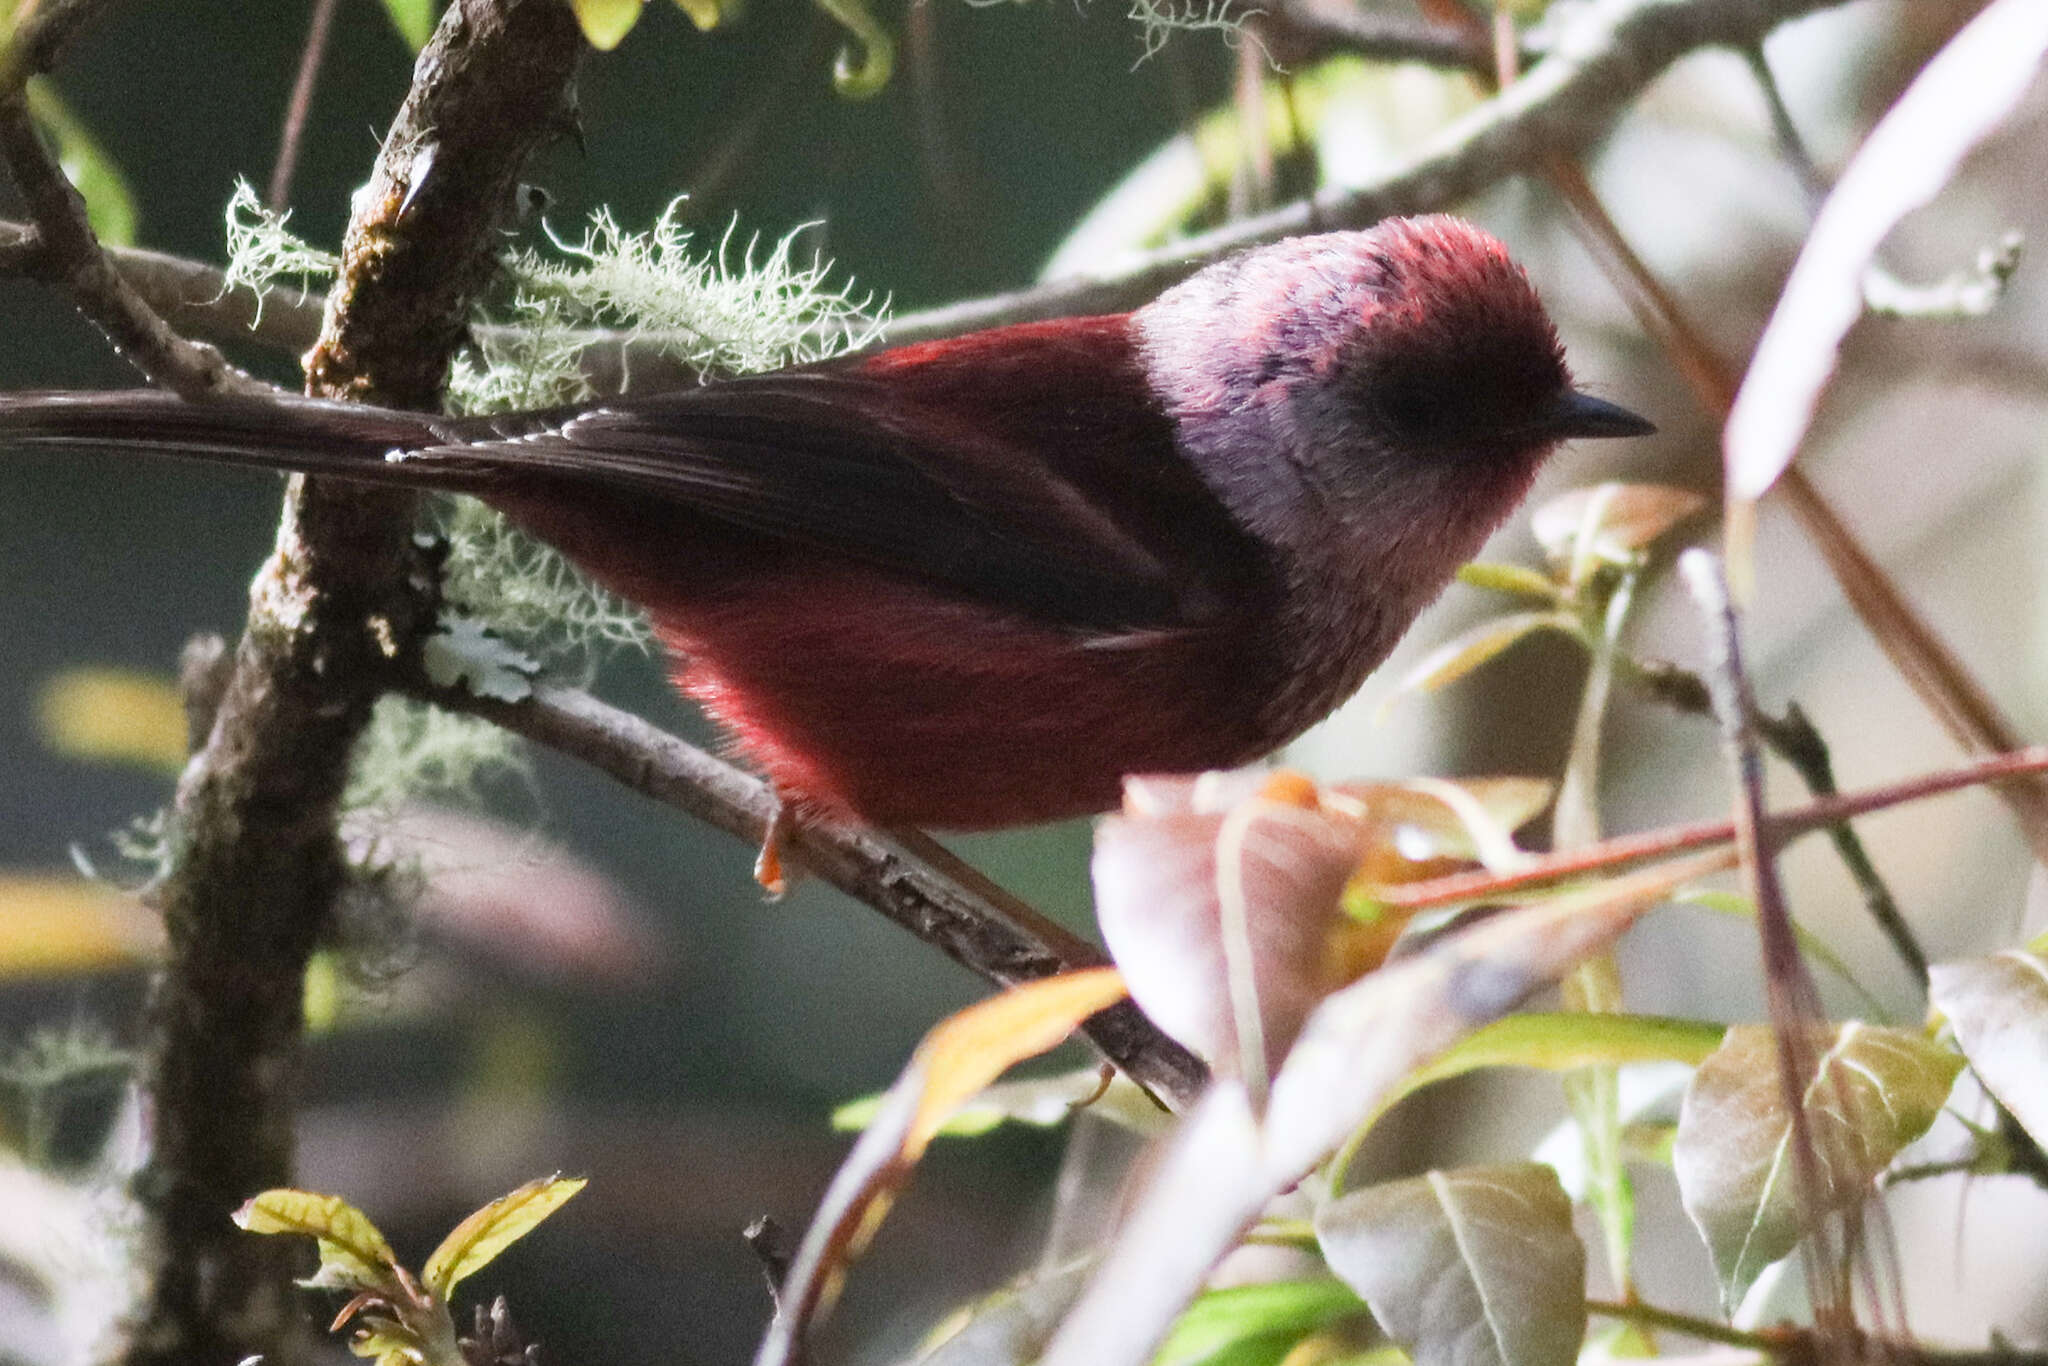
pixel 271 433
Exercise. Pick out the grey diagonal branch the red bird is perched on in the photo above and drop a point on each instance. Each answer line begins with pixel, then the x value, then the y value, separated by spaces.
pixel 949 906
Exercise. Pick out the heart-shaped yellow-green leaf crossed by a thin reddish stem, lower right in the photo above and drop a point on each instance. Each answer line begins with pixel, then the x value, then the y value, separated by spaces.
pixel 1875 1093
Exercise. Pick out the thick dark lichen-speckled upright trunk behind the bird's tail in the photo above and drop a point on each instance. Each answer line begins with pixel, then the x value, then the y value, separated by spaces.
pixel 257 865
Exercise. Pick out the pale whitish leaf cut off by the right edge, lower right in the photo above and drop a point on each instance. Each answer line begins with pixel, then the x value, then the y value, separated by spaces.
pixel 2000 1013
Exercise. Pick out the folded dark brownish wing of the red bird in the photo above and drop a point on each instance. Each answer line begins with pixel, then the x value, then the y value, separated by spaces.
pixel 835 460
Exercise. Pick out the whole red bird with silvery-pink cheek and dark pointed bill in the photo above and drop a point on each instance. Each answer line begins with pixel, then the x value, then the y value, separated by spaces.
pixel 976 583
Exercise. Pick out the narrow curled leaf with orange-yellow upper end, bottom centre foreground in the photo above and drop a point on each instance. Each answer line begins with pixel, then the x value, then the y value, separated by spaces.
pixel 959 1058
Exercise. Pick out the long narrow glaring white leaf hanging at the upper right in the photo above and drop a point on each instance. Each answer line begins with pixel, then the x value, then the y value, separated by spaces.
pixel 1955 101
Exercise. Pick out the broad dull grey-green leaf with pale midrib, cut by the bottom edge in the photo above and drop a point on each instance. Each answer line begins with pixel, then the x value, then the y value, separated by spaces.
pixel 1465 1269
